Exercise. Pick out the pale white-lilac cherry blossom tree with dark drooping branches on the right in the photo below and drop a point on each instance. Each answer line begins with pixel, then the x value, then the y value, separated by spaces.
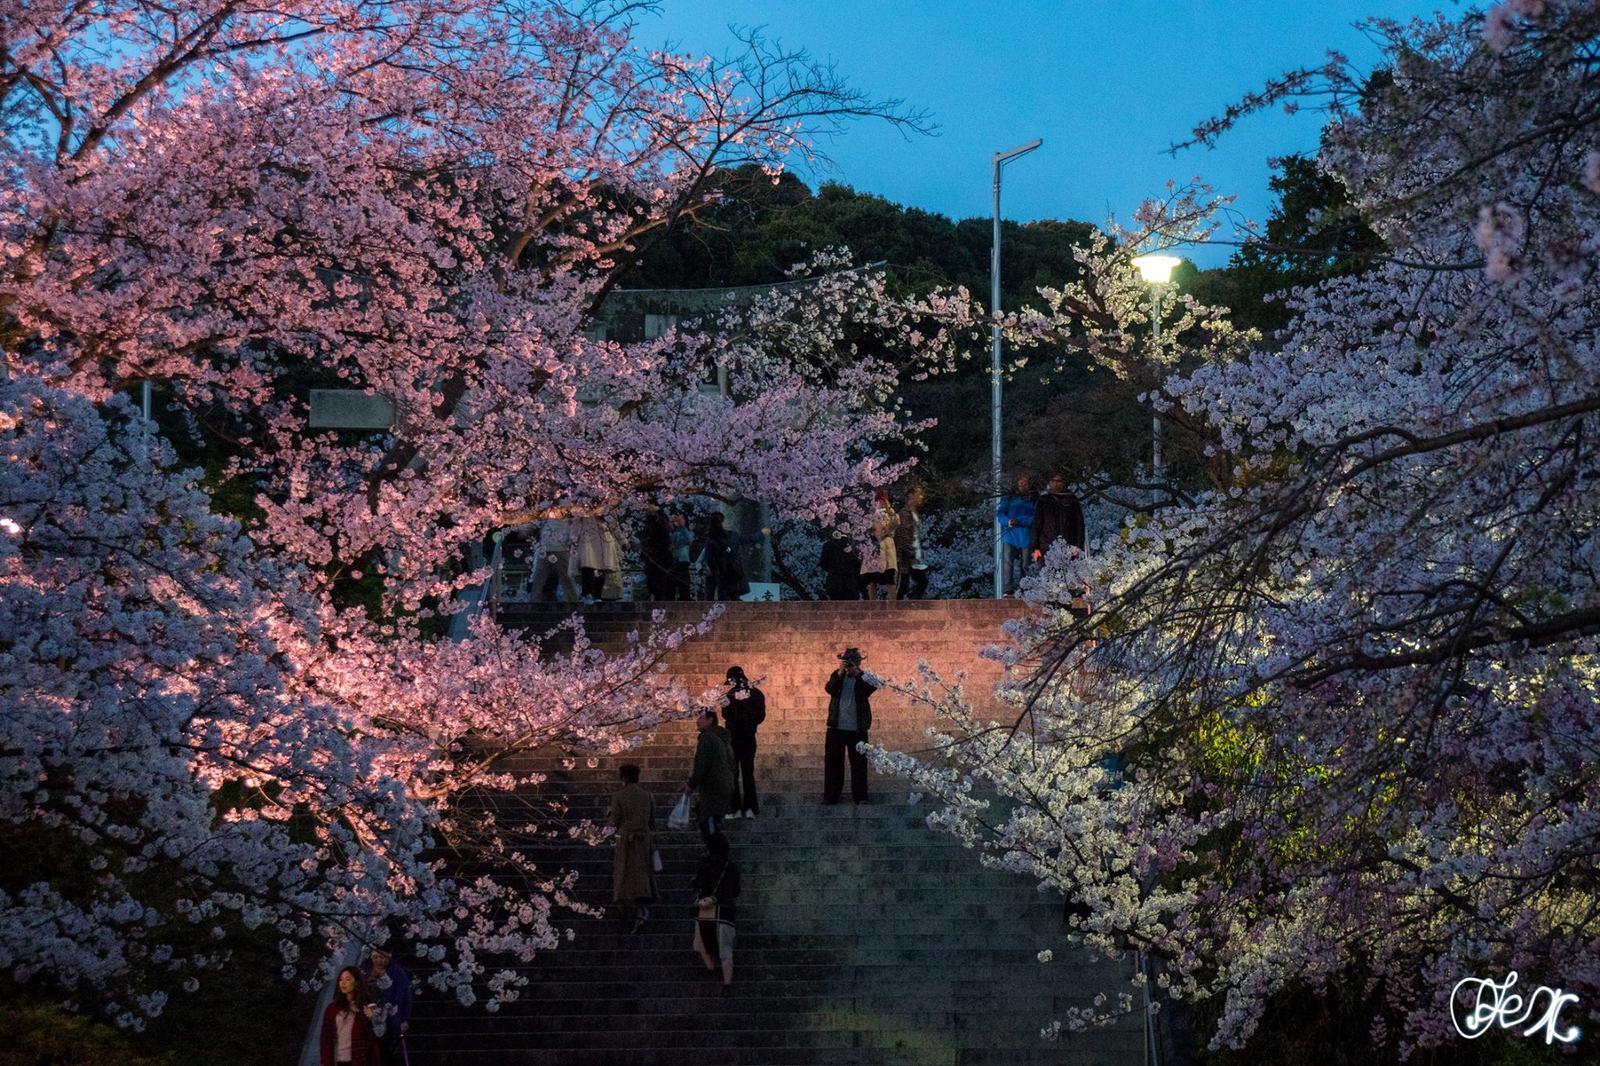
pixel 1335 723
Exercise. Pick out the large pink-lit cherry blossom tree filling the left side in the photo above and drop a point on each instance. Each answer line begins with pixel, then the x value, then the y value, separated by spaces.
pixel 426 202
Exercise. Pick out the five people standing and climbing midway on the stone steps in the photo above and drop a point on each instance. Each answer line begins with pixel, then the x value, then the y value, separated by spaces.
pixel 722 783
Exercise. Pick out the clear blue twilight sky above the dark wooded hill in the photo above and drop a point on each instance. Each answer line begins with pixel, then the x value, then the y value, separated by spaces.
pixel 1108 84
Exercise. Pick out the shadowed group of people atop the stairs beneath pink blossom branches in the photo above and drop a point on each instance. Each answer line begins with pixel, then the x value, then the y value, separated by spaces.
pixel 582 556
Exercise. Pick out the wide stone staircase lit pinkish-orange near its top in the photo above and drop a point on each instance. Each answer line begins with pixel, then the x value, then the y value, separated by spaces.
pixel 863 937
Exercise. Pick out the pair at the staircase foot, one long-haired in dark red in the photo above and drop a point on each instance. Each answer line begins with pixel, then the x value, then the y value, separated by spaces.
pixel 370 1014
